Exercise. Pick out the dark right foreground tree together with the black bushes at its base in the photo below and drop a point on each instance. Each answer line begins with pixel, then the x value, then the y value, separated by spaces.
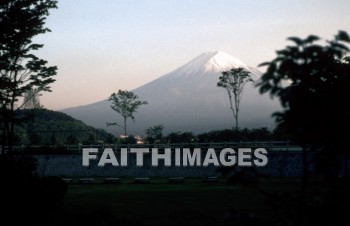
pixel 312 82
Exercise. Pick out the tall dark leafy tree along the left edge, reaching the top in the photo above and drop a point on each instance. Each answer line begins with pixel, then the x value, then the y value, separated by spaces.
pixel 20 69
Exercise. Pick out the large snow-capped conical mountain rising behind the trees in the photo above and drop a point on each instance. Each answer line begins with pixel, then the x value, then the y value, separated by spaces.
pixel 188 99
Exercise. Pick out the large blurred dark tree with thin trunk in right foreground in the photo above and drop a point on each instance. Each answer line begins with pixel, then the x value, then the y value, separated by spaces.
pixel 312 83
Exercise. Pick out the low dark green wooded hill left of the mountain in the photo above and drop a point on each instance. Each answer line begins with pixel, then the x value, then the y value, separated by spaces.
pixel 47 127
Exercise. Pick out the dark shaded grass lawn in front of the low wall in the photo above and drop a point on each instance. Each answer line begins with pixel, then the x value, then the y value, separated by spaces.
pixel 160 203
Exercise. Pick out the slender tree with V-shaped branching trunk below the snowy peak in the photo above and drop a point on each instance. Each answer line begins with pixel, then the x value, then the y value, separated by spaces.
pixel 234 81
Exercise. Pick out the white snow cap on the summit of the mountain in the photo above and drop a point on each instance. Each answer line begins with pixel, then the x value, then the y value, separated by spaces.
pixel 209 62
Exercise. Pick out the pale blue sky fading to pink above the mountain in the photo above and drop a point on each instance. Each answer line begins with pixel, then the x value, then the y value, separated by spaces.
pixel 101 46
